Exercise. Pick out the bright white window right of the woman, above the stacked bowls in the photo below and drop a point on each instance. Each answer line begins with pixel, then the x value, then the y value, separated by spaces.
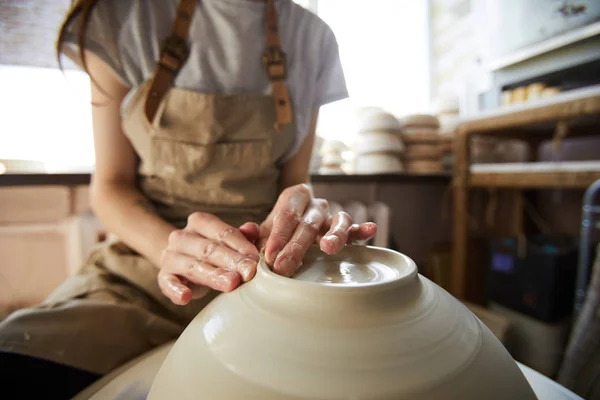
pixel 385 55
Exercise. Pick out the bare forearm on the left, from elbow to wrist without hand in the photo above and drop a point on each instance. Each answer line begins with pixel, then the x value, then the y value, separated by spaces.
pixel 126 213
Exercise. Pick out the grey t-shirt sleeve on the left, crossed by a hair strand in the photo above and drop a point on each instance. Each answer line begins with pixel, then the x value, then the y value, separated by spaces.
pixel 101 36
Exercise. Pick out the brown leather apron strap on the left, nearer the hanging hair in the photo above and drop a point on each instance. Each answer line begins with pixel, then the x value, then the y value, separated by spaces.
pixel 174 53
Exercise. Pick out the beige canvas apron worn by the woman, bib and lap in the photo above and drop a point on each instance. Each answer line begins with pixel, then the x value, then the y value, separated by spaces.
pixel 198 152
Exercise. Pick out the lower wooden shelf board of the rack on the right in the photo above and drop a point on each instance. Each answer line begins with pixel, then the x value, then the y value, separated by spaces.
pixel 534 180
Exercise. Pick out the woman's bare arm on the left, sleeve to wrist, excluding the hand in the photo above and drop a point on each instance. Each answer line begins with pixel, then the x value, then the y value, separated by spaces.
pixel 122 209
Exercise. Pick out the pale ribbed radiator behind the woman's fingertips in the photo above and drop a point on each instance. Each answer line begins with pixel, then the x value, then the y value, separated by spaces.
pixel 377 212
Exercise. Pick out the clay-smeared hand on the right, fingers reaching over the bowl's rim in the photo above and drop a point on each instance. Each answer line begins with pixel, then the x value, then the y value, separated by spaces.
pixel 297 221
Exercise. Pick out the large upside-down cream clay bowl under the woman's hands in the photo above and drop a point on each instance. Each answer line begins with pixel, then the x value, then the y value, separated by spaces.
pixel 358 325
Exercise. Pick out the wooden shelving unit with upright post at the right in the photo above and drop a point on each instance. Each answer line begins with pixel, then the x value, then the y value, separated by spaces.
pixel 574 113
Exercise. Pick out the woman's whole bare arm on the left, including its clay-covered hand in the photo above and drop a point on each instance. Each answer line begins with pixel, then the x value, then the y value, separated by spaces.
pixel 207 253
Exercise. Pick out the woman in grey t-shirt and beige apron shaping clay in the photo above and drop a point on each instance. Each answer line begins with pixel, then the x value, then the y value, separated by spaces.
pixel 201 164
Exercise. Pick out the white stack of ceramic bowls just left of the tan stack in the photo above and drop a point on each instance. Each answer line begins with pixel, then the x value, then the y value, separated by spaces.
pixel 377 147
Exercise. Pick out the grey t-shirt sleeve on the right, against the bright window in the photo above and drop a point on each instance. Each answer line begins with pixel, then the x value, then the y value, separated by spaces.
pixel 331 82
